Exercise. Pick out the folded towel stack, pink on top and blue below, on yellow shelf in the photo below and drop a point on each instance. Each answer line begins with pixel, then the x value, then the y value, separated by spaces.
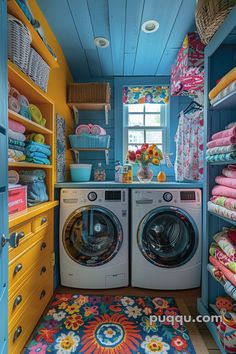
pixel 16 141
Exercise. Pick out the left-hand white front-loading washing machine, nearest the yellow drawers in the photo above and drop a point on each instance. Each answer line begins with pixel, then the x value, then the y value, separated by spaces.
pixel 94 238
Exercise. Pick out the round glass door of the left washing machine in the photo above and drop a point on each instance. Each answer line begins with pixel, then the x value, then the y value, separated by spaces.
pixel 92 236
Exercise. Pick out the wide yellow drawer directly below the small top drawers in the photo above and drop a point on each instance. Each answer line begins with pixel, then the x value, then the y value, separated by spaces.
pixel 21 266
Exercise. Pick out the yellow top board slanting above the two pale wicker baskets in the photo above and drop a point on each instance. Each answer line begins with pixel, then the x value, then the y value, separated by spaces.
pixel 37 42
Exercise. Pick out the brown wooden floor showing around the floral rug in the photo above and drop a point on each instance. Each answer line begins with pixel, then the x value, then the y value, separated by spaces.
pixel 186 301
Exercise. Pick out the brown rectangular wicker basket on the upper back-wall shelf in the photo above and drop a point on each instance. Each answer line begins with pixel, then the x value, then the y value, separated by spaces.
pixel 89 93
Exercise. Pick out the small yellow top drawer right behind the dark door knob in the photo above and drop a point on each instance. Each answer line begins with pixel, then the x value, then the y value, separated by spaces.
pixel 25 229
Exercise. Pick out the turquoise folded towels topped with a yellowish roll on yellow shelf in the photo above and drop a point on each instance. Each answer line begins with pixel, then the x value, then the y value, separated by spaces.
pixel 36 150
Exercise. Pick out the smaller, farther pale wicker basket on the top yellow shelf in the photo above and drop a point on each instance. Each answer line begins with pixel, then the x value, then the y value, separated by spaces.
pixel 38 70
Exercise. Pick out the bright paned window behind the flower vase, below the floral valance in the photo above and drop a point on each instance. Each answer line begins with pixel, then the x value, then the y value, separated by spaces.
pixel 146 123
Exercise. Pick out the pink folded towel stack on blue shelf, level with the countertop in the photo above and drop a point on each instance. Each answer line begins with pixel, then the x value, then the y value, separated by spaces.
pixel 223 200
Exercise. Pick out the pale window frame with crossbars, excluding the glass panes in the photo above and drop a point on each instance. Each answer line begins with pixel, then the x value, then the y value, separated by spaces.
pixel 164 127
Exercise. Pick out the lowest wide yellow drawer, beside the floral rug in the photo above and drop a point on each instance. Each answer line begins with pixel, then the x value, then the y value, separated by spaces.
pixel 24 325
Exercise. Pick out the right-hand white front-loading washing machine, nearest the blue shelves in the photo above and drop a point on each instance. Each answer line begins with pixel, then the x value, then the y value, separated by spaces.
pixel 166 239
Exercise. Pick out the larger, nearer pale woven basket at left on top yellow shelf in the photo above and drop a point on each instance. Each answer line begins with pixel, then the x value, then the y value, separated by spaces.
pixel 19 39
